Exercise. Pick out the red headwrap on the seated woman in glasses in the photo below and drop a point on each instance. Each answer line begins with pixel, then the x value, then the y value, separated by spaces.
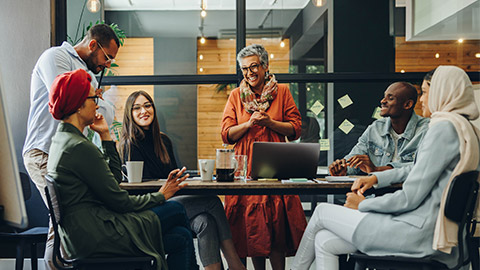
pixel 69 92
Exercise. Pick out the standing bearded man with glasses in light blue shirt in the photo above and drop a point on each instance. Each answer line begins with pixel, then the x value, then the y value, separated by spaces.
pixel 93 54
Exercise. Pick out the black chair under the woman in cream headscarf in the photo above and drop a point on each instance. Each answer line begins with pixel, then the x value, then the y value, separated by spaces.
pixel 459 207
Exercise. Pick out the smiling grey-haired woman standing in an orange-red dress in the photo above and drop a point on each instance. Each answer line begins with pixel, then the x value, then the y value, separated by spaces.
pixel 262 110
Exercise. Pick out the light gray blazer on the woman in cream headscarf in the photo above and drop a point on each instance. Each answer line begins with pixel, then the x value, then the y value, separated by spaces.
pixel 402 223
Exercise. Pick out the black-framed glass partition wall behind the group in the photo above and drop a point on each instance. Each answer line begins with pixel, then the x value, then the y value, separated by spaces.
pixel 337 59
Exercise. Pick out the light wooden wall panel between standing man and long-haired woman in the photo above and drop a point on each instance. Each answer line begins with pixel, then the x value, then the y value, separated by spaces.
pixel 135 57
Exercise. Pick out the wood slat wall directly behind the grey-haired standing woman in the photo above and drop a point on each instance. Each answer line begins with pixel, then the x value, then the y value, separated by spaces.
pixel 219 57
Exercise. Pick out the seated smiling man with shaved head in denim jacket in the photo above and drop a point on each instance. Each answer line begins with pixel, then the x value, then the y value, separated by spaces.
pixel 388 142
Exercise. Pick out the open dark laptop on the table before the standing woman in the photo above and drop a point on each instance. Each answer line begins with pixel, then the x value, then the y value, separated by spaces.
pixel 284 160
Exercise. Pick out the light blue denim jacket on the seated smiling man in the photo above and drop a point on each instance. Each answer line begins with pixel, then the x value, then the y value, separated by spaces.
pixel 377 142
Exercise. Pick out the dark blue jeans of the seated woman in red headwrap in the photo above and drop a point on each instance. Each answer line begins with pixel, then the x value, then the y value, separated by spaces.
pixel 177 236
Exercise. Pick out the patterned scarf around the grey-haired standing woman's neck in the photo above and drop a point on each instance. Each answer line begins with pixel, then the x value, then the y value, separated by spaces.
pixel 253 104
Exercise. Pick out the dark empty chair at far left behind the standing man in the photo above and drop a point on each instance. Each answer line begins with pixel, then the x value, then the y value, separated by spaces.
pixel 30 237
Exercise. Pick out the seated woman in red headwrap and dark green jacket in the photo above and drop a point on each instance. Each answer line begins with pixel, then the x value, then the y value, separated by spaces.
pixel 100 218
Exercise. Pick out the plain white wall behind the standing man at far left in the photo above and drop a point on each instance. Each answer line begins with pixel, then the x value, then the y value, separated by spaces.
pixel 25 34
